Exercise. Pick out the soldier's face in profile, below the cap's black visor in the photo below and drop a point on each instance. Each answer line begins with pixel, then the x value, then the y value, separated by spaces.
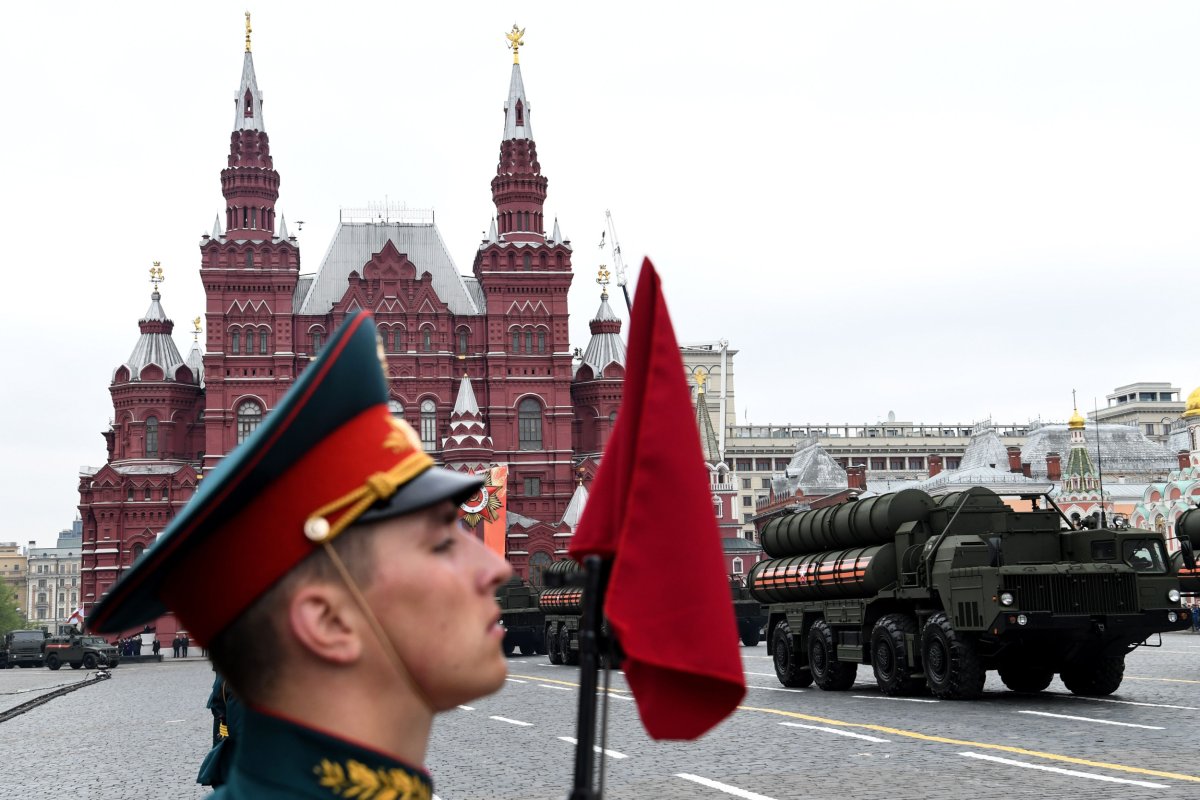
pixel 435 594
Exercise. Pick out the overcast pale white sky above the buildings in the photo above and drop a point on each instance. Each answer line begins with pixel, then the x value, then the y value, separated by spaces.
pixel 947 210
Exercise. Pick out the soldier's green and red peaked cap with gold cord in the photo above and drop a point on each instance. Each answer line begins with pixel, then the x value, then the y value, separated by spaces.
pixel 329 455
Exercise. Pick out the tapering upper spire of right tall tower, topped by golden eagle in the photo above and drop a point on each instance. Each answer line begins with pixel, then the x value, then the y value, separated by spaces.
pixel 519 189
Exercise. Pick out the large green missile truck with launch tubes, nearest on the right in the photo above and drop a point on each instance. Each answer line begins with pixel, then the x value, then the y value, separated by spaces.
pixel 935 593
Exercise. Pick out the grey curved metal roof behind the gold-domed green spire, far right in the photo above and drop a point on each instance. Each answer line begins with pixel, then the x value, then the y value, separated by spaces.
pixel 1125 452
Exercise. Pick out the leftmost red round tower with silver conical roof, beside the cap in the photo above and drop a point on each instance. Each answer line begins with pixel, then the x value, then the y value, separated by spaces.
pixel 154 447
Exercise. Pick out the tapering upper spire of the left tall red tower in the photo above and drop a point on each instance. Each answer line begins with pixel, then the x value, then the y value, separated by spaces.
pixel 250 184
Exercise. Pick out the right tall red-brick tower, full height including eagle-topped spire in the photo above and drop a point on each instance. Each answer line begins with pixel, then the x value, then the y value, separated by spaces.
pixel 525 279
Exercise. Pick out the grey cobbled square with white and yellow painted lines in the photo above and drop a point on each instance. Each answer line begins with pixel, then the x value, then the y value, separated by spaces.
pixel 143 733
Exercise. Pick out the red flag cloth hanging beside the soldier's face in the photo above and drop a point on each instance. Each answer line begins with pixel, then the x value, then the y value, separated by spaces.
pixel 651 510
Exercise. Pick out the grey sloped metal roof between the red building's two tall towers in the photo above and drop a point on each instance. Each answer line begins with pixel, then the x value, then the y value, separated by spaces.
pixel 356 243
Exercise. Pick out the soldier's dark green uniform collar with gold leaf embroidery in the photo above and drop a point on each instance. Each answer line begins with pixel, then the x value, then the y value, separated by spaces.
pixel 283 759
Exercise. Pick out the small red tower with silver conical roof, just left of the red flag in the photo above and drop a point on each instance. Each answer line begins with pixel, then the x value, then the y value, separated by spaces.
pixel 599 378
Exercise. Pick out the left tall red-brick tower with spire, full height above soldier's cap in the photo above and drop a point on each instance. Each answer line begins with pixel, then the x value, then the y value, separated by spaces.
pixel 250 275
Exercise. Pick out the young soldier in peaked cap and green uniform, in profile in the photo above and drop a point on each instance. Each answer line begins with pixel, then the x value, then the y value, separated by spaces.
pixel 353 607
